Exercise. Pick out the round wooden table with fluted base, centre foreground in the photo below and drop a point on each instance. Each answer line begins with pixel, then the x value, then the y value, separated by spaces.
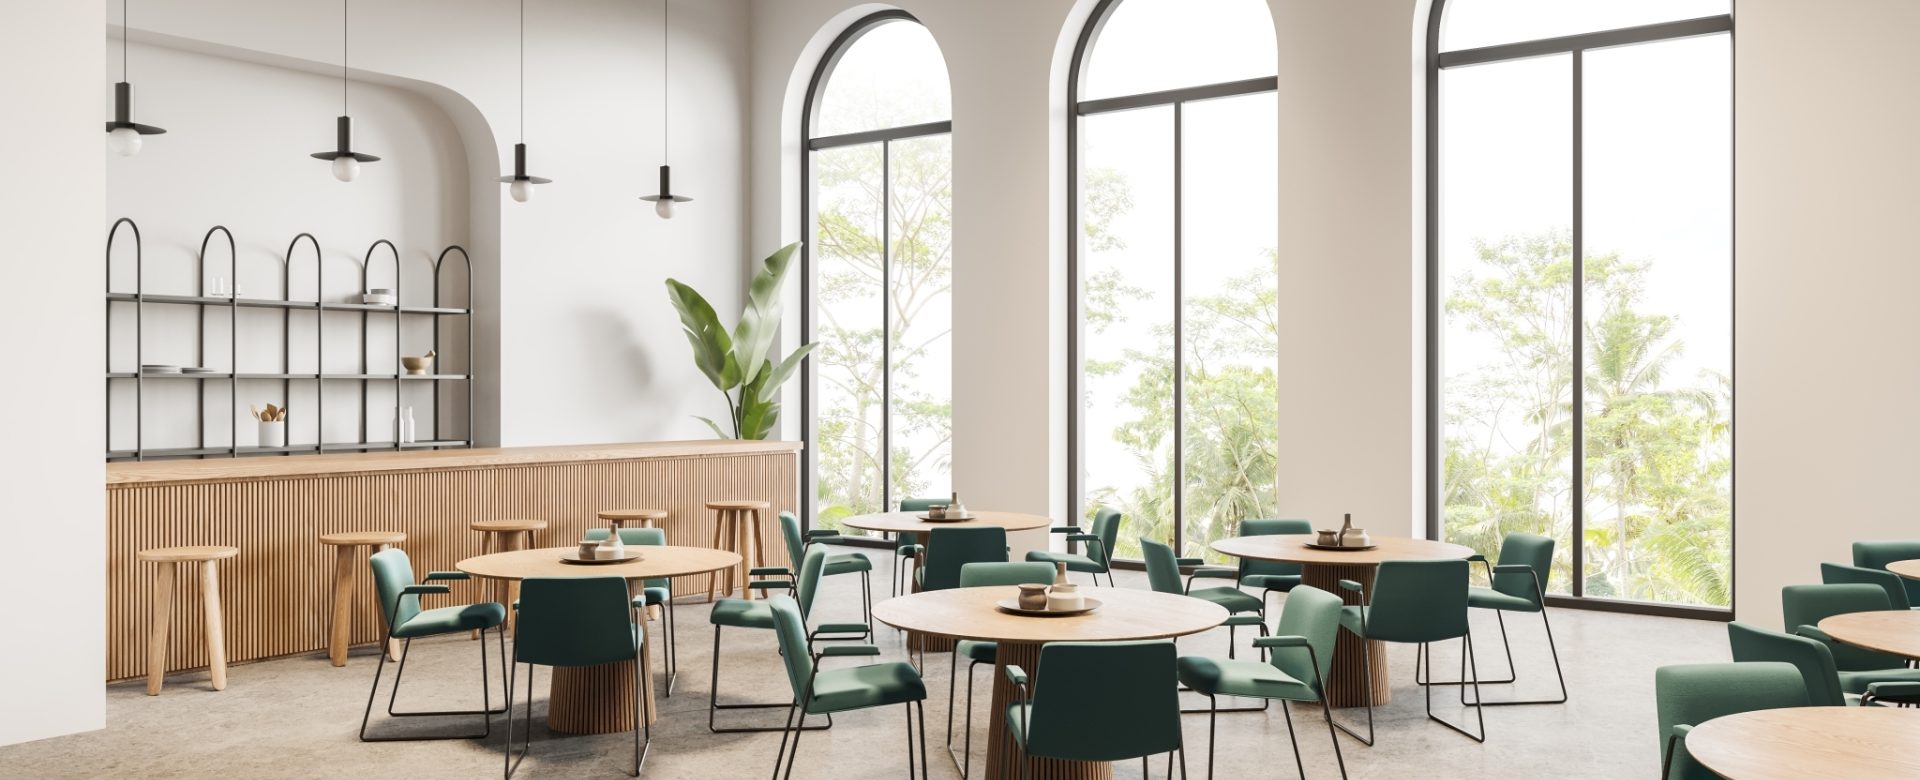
pixel 971 614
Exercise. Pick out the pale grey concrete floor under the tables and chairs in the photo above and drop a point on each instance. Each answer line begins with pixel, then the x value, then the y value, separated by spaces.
pixel 299 718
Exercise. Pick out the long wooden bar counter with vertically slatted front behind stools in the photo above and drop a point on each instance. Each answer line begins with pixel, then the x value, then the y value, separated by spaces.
pixel 277 593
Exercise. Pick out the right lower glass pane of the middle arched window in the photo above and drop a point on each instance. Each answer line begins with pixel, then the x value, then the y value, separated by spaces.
pixel 1230 335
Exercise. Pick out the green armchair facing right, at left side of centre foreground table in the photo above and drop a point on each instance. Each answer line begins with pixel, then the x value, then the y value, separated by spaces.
pixel 840 691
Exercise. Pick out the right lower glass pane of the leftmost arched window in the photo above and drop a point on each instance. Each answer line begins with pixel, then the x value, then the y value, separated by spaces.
pixel 921 312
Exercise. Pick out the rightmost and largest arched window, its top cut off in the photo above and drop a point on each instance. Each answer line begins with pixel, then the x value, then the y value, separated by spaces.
pixel 1581 281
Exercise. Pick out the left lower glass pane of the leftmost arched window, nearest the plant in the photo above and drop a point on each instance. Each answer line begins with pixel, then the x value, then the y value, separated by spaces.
pixel 848 312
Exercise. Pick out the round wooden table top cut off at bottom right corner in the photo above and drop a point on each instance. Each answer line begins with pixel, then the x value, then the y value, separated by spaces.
pixel 1812 743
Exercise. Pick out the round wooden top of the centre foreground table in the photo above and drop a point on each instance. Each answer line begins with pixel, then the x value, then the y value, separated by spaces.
pixel 1126 614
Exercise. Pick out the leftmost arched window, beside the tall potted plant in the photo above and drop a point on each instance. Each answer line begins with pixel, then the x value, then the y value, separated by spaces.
pixel 878 266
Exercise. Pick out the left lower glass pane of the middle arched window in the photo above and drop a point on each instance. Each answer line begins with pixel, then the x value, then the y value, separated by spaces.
pixel 1128 310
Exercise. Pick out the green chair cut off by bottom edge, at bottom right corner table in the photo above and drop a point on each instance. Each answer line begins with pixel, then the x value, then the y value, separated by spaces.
pixel 1692 695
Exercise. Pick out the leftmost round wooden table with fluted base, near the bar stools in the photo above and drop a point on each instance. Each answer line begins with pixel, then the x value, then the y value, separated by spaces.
pixel 600 700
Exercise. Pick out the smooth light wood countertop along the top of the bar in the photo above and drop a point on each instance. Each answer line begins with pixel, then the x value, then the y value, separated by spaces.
pixel 243 470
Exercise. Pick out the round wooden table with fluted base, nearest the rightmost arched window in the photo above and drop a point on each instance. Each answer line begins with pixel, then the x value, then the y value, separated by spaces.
pixel 1326 570
